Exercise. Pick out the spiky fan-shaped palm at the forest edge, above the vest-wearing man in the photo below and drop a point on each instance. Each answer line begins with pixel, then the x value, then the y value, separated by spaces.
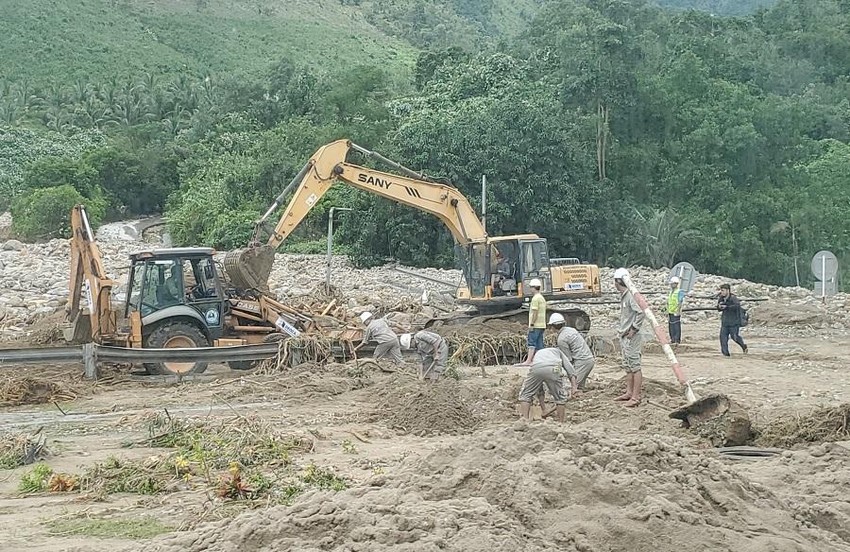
pixel 663 233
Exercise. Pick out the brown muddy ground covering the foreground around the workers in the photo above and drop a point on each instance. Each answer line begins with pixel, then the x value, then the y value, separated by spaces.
pixel 447 467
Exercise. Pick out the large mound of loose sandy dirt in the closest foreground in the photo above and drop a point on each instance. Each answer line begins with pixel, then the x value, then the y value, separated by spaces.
pixel 536 487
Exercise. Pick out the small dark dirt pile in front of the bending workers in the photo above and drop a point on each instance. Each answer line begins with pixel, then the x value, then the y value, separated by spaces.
pixel 424 408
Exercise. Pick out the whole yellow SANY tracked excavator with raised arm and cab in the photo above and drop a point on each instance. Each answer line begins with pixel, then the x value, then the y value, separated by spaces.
pixel 496 269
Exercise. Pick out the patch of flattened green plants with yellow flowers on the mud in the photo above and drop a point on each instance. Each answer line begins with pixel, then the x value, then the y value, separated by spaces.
pixel 237 459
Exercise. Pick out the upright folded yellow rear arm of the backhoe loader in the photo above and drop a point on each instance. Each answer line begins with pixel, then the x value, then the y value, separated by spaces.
pixel 87 273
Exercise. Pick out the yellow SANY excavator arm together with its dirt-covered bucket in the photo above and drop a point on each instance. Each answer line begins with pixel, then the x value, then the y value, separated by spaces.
pixel 251 268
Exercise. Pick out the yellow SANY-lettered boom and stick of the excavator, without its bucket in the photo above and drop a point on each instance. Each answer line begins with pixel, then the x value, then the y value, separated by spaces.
pixel 328 165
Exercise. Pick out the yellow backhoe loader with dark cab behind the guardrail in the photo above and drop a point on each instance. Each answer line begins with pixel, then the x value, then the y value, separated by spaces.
pixel 174 299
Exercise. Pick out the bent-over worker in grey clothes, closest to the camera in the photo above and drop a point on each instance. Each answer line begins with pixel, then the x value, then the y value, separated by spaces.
pixel 547 367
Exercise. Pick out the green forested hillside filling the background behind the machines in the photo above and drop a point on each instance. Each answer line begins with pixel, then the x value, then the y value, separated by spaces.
pixel 621 131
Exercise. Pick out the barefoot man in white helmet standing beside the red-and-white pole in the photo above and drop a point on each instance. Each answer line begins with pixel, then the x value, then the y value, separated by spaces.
pixel 631 320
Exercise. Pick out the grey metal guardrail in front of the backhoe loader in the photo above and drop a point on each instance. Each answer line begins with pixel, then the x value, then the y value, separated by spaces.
pixel 90 354
